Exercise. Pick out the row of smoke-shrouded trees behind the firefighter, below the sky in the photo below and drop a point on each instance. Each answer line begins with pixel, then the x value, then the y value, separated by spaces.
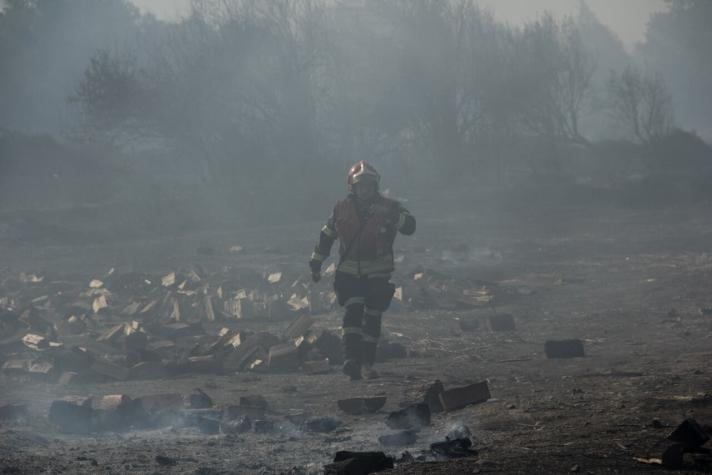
pixel 240 89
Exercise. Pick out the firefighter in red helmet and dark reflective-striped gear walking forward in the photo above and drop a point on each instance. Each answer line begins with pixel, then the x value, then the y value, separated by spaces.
pixel 366 224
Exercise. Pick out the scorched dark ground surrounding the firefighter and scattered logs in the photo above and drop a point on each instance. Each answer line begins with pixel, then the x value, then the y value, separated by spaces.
pixel 632 285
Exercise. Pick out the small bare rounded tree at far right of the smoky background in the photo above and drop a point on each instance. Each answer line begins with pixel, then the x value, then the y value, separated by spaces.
pixel 641 103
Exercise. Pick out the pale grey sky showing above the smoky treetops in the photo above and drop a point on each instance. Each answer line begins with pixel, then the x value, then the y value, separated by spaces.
pixel 627 18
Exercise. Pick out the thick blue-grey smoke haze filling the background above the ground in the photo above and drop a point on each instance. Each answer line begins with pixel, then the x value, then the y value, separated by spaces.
pixel 217 102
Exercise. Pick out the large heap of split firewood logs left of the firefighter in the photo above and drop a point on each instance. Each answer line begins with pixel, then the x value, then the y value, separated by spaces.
pixel 147 327
